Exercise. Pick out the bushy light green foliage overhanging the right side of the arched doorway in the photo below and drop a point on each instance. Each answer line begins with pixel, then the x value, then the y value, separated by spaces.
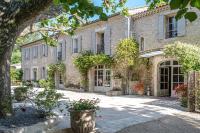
pixel 187 54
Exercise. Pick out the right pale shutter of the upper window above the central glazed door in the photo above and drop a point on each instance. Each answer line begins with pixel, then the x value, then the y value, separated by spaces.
pixel 107 39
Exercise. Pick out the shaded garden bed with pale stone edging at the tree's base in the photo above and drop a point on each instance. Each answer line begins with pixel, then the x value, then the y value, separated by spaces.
pixel 26 120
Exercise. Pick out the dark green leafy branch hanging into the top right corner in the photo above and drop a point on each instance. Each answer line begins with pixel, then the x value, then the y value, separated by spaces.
pixel 183 7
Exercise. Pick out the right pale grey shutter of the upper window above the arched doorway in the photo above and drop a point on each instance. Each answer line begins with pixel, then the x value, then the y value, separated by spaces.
pixel 181 24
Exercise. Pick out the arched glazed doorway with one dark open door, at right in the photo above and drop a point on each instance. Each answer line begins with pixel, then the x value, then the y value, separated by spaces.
pixel 170 75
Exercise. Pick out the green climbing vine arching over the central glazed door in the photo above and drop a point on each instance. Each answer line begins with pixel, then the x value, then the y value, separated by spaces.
pixel 87 60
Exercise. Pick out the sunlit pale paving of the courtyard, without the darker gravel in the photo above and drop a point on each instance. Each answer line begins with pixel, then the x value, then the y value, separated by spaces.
pixel 120 112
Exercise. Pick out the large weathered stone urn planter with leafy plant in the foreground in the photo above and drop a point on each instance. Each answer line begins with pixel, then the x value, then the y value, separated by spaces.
pixel 82 115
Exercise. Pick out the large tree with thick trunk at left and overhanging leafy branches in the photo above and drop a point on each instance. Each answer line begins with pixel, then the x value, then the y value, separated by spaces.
pixel 16 15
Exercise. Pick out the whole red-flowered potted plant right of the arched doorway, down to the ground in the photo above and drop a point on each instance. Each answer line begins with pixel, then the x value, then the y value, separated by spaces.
pixel 181 91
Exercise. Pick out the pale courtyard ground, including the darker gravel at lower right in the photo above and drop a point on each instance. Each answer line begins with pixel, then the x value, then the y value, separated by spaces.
pixel 137 114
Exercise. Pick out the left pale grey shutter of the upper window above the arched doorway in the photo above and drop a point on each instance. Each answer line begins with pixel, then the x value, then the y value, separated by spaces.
pixel 161 27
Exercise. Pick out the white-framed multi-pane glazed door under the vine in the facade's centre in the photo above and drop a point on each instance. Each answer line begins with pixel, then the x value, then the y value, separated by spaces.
pixel 102 76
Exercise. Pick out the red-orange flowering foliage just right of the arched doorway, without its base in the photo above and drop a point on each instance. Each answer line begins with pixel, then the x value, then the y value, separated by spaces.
pixel 181 90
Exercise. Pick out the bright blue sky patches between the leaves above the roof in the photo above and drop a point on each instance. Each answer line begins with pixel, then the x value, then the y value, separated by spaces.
pixel 129 4
